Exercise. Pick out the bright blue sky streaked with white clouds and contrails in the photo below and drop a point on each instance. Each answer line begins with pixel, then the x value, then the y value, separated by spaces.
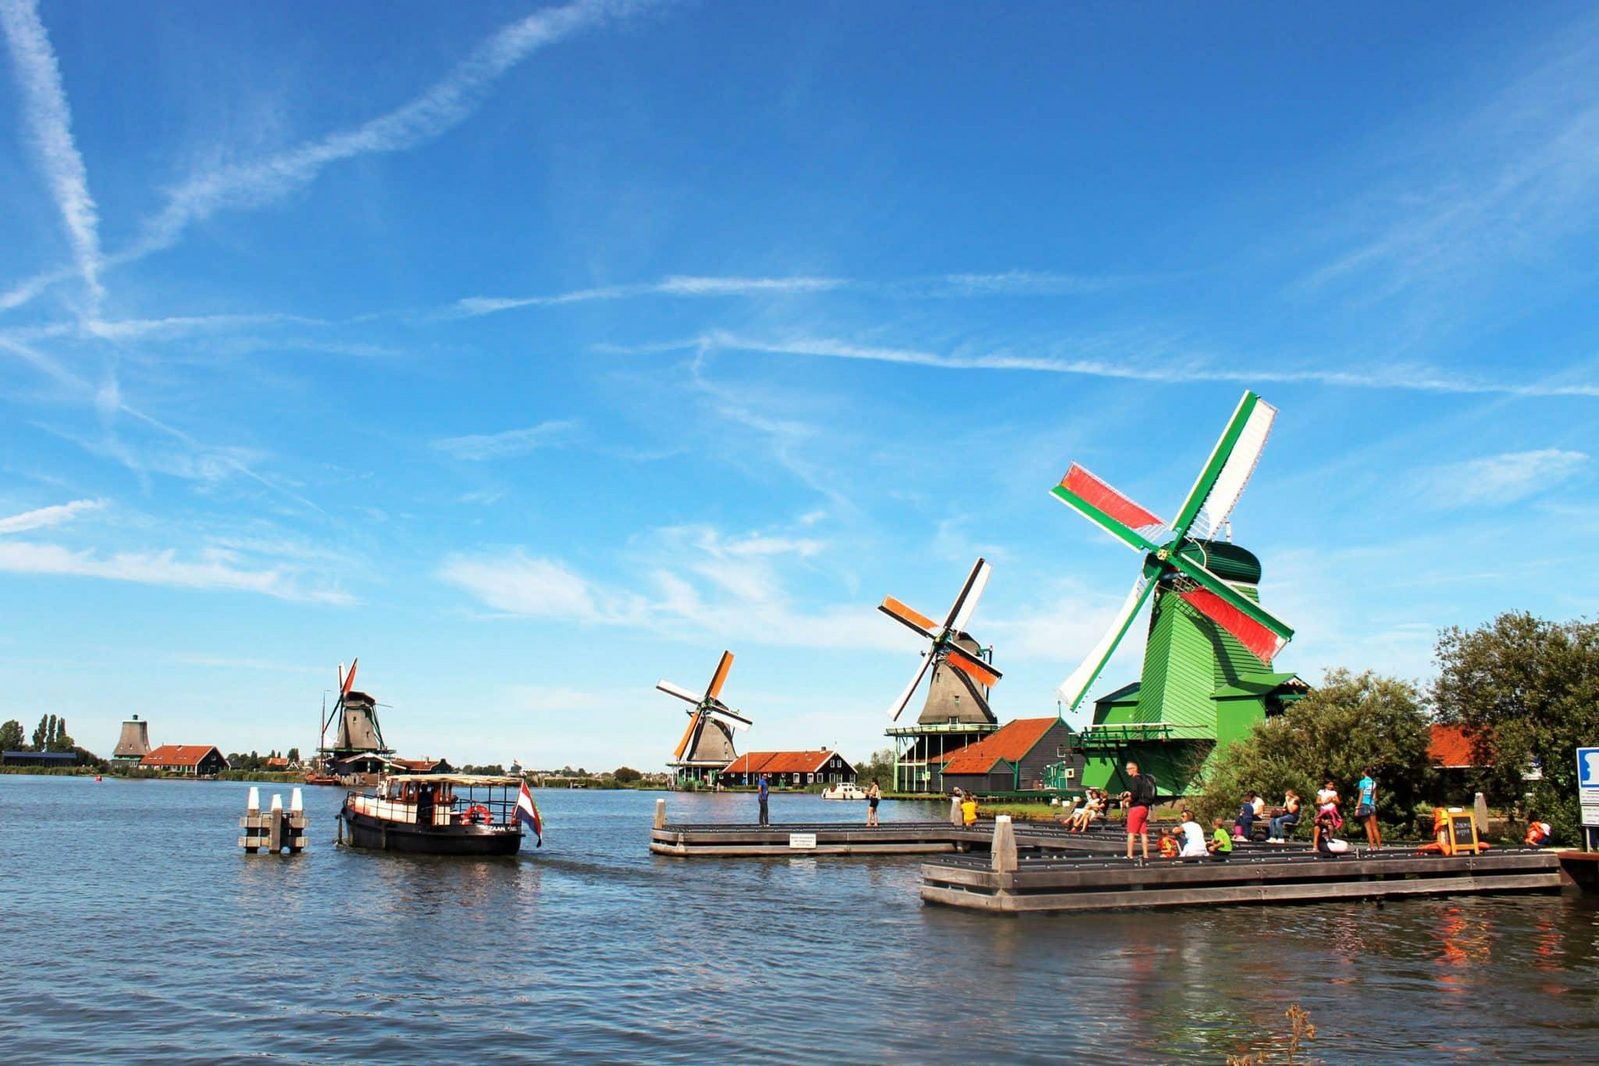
pixel 533 354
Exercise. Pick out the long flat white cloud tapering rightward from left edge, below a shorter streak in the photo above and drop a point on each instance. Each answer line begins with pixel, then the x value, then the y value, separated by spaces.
pixel 212 571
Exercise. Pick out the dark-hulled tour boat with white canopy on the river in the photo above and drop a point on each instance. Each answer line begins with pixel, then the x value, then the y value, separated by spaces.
pixel 439 814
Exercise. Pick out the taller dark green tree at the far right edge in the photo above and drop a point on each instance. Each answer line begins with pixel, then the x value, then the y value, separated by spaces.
pixel 1528 694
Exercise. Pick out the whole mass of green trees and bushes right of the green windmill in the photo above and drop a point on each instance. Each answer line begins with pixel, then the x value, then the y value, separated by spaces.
pixel 1523 690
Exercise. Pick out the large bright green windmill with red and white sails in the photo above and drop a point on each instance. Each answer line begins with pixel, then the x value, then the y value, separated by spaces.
pixel 1208 659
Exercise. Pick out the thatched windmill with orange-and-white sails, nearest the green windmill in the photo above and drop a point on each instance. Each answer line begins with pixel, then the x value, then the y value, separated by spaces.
pixel 957 710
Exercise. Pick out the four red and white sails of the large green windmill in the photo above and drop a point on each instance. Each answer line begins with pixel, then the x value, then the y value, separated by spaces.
pixel 1178 557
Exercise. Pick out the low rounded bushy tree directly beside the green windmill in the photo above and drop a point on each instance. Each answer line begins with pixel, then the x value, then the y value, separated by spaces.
pixel 1342 728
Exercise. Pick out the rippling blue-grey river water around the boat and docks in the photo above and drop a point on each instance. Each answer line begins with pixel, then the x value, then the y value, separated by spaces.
pixel 137 931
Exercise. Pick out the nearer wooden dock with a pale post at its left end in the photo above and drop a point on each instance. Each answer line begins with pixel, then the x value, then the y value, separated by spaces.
pixel 1053 883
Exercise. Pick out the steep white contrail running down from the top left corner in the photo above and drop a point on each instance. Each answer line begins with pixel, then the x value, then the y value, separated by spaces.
pixel 50 124
